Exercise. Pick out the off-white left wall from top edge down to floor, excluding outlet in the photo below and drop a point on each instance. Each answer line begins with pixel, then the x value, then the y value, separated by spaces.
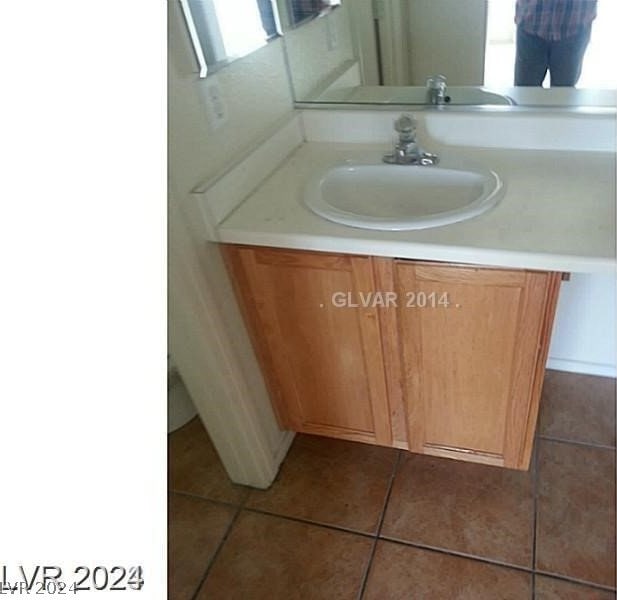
pixel 208 340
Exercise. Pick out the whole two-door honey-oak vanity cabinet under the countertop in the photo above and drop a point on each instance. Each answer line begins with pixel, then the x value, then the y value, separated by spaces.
pixel 445 359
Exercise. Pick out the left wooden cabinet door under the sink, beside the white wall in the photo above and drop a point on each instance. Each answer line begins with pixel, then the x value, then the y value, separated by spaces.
pixel 323 362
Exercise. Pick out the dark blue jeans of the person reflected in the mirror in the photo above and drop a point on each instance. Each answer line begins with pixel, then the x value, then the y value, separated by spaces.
pixel 563 58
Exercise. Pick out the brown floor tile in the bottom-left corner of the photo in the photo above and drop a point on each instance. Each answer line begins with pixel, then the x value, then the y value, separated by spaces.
pixel 196 527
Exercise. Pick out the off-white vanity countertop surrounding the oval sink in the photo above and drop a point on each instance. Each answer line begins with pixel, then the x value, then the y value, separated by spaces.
pixel 558 212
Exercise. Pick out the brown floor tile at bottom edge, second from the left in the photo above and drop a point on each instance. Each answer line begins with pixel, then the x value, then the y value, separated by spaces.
pixel 271 558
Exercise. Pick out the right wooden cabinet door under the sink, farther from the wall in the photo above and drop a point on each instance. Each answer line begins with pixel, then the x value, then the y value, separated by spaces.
pixel 472 371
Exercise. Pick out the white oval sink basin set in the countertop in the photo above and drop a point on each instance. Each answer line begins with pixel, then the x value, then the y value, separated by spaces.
pixel 401 197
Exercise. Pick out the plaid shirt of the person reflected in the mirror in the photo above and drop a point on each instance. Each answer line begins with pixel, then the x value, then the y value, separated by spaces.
pixel 554 19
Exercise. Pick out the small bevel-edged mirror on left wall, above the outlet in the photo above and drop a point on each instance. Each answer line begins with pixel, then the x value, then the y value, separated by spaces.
pixel 222 31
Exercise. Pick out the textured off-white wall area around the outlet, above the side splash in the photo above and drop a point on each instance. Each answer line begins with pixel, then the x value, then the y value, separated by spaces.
pixel 255 90
